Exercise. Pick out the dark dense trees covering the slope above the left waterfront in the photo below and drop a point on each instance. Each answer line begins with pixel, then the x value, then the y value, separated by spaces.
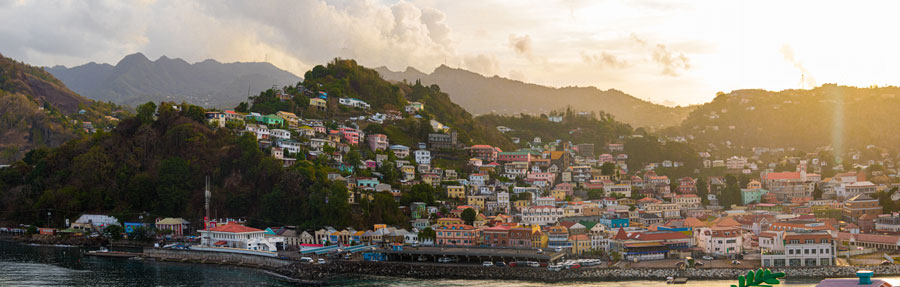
pixel 157 166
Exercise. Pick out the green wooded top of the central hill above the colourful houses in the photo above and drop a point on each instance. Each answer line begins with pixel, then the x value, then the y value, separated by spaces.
pixel 345 78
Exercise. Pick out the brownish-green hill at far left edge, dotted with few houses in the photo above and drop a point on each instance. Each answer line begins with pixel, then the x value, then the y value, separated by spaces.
pixel 38 110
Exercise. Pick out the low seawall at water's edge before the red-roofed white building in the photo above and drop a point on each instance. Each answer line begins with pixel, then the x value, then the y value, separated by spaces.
pixel 211 257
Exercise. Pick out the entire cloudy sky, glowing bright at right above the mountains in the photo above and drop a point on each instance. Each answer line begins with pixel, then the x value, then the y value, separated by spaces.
pixel 667 52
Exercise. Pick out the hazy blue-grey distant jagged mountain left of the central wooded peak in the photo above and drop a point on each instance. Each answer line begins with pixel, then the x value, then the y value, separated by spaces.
pixel 136 79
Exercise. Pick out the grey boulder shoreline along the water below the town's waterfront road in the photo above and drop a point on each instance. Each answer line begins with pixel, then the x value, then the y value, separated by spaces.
pixel 324 272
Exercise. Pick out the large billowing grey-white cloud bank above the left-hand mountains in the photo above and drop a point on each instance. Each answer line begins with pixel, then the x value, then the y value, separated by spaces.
pixel 292 34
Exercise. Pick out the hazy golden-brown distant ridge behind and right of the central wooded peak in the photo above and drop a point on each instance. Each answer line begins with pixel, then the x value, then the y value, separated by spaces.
pixel 482 95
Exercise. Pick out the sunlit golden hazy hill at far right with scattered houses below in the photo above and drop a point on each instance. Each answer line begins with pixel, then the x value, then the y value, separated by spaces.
pixel 804 119
